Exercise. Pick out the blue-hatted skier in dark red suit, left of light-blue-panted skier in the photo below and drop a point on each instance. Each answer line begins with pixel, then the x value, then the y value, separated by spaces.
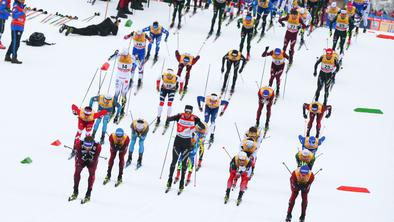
pixel 119 143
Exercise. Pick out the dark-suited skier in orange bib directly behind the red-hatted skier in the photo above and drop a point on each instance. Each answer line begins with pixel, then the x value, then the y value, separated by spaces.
pixel 343 22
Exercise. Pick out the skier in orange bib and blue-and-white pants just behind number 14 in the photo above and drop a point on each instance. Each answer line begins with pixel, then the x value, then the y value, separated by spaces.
pixel 140 38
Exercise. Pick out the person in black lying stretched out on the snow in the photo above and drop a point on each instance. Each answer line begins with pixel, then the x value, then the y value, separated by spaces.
pixel 105 28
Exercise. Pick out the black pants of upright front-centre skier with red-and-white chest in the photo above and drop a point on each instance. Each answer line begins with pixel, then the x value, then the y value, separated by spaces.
pixel 182 146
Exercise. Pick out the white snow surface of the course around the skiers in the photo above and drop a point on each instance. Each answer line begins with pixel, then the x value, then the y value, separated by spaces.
pixel 38 94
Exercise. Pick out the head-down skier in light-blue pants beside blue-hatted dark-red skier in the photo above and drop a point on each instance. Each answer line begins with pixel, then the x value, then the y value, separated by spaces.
pixel 139 129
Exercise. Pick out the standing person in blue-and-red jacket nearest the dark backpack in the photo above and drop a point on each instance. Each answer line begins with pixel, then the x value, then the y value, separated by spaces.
pixel 17 26
